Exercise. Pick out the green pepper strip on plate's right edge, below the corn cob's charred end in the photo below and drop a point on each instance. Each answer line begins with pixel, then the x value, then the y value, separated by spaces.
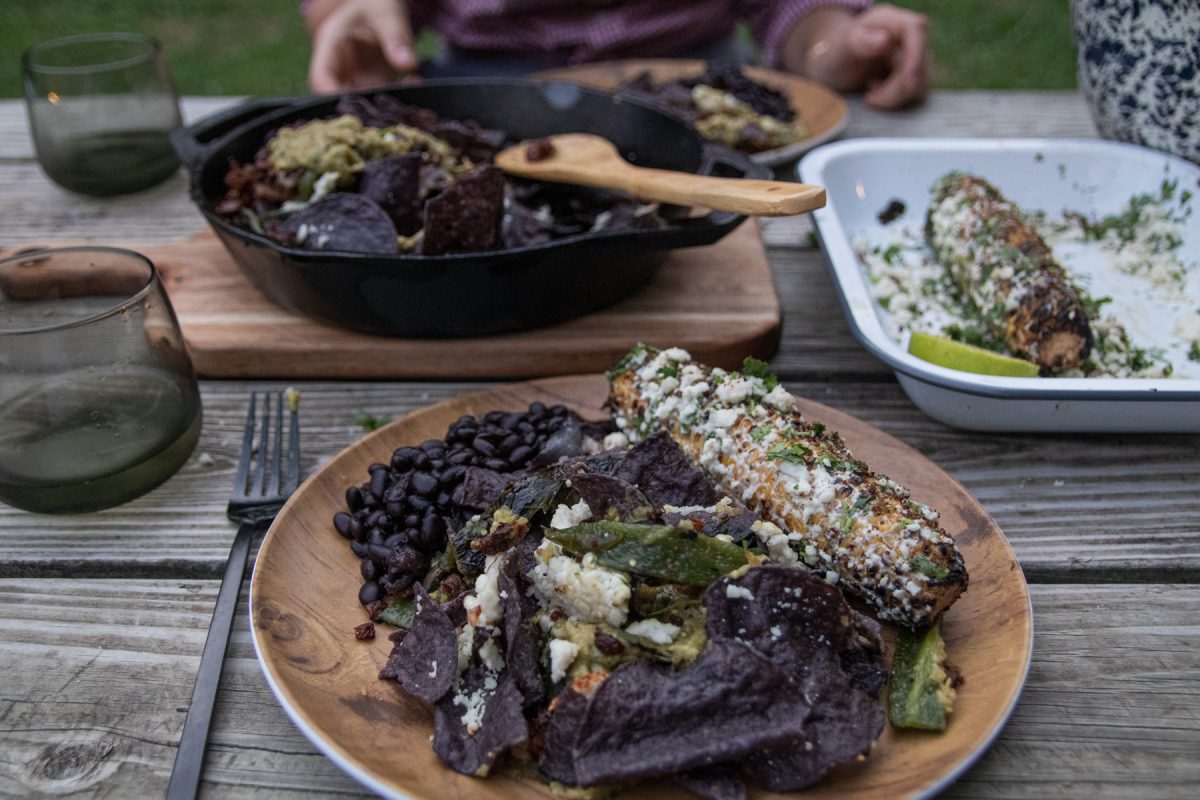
pixel 922 691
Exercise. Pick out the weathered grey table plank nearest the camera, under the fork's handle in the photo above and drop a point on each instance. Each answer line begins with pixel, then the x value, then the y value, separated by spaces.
pixel 99 675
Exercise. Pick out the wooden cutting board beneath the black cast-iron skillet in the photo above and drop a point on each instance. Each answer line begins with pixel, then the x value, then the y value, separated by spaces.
pixel 719 303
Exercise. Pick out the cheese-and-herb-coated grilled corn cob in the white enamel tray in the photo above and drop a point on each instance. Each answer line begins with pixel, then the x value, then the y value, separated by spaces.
pixel 1006 272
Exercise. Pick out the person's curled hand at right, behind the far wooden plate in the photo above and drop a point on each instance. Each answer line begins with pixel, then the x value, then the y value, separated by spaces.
pixel 883 52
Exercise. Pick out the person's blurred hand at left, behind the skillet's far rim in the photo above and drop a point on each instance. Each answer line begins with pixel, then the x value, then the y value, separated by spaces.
pixel 358 44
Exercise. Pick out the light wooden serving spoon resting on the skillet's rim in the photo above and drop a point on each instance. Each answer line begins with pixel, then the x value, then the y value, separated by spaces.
pixel 590 160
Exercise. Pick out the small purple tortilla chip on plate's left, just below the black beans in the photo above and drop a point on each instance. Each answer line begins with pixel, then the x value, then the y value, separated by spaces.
pixel 427 659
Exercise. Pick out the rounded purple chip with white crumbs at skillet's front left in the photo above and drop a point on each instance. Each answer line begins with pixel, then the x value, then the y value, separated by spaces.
pixel 341 221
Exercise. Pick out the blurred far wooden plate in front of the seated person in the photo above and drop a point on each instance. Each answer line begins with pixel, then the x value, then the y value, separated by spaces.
pixel 821 110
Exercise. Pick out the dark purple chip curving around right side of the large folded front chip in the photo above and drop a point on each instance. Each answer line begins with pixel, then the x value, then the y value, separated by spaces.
pixel 803 625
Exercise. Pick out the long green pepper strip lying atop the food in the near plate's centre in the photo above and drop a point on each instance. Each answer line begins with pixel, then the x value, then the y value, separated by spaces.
pixel 653 551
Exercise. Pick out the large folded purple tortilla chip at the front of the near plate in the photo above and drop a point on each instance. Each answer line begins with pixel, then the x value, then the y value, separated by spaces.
pixel 646 721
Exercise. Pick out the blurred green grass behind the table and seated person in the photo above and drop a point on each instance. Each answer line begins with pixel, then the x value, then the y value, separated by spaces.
pixel 261 47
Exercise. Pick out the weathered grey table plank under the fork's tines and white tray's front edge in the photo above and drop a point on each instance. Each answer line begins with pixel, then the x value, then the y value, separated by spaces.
pixel 1102 508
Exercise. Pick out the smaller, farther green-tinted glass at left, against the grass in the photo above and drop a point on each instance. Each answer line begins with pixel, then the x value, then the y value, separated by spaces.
pixel 101 107
